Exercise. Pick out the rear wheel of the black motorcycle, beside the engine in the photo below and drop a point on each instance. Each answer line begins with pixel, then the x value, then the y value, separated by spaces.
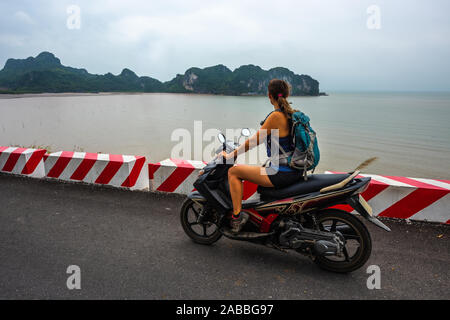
pixel 337 219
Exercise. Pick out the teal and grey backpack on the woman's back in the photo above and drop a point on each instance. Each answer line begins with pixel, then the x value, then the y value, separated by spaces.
pixel 306 154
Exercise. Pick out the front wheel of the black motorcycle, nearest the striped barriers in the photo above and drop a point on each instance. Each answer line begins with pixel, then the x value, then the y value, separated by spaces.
pixel 202 232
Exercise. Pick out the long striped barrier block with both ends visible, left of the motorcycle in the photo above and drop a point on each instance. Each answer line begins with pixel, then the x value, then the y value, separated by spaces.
pixel 106 169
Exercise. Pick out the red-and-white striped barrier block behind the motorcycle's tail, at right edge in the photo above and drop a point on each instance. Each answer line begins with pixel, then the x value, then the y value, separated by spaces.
pixel 408 198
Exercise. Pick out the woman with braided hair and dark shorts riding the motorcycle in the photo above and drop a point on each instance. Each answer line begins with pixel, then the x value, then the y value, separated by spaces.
pixel 271 176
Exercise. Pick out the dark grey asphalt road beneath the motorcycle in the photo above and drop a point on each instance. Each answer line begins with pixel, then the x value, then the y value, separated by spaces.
pixel 130 245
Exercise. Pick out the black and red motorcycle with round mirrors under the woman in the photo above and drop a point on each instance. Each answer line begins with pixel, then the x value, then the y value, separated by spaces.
pixel 298 218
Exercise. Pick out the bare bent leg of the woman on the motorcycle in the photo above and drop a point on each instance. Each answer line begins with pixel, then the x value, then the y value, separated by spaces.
pixel 238 173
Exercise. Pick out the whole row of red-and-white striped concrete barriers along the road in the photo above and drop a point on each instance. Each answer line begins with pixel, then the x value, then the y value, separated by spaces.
pixel 395 197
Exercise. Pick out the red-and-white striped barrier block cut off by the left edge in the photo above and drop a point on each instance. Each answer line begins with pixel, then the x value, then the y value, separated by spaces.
pixel 24 161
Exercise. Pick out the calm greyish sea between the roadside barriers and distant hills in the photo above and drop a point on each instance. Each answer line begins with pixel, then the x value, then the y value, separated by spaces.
pixel 409 132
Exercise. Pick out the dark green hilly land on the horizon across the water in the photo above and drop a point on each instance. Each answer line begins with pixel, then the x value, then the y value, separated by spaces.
pixel 45 73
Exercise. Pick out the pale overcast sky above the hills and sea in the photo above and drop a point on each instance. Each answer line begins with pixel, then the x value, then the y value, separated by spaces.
pixel 327 39
